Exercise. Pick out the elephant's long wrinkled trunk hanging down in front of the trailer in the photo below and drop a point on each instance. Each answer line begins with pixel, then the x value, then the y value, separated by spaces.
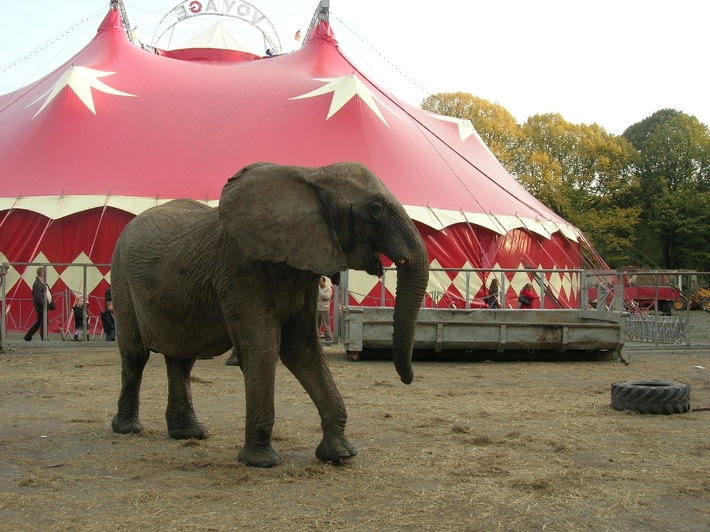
pixel 412 280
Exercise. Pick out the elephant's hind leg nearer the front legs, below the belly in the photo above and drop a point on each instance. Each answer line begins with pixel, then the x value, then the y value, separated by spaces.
pixel 180 415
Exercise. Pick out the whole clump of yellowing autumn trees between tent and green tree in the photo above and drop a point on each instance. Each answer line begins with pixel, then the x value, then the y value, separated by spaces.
pixel 582 173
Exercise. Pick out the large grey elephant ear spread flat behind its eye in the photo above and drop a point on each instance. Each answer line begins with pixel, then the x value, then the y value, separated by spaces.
pixel 281 214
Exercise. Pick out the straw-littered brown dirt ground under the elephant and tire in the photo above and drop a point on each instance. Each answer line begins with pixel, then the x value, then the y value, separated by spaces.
pixel 467 446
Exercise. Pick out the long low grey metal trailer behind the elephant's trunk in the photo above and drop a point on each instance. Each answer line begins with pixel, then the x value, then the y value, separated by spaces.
pixel 498 334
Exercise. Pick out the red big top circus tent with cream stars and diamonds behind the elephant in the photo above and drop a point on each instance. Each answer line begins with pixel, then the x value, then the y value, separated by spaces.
pixel 118 129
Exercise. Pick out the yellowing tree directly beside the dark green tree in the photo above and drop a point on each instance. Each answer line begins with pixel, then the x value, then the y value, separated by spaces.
pixel 588 177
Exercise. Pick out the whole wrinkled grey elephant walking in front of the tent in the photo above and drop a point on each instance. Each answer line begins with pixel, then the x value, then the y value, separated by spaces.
pixel 191 281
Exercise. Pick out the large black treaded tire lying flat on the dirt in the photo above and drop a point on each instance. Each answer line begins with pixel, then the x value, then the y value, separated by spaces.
pixel 651 397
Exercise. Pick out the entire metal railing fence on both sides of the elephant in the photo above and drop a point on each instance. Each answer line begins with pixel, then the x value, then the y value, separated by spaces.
pixel 664 307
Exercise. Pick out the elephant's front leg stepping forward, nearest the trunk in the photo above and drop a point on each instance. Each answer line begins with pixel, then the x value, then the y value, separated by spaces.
pixel 303 356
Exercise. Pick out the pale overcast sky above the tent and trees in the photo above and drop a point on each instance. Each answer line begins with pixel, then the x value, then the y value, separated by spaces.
pixel 610 62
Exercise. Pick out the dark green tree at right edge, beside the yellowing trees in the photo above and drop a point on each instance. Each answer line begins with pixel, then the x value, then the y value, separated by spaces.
pixel 675 177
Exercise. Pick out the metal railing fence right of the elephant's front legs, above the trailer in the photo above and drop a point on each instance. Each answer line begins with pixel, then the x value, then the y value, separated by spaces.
pixel 662 307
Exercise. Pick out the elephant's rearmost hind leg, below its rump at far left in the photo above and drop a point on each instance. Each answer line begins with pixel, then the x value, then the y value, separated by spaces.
pixel 126 420
